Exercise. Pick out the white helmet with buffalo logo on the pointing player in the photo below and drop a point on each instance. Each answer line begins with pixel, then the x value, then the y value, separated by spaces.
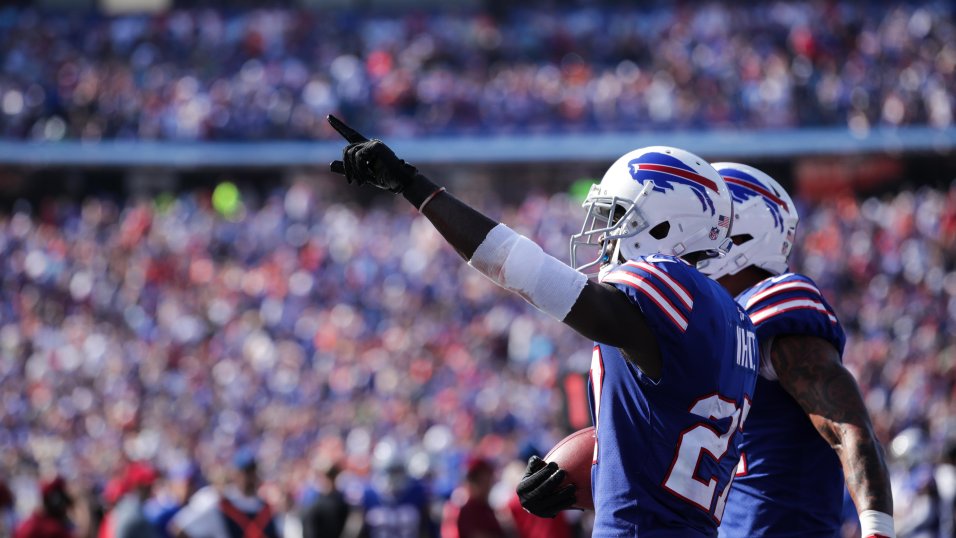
pixel 654 200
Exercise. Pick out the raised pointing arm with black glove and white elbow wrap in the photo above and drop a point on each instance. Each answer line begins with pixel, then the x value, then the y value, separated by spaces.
pixel 597 311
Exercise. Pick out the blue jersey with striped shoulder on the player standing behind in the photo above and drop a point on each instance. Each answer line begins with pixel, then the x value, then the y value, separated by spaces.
pixel 789 482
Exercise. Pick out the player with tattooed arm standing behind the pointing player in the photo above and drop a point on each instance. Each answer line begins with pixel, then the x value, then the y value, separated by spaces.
pixel 808 420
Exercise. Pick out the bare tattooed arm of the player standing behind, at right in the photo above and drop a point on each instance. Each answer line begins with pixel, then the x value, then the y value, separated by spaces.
pixel 809 369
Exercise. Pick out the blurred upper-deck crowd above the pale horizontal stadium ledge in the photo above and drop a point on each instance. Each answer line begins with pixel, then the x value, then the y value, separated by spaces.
pixel 204 74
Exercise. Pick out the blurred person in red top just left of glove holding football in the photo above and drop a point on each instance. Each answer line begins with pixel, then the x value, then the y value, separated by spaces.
pixel 468 513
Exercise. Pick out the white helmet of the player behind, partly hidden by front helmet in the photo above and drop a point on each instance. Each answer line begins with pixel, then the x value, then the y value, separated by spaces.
pixel 765 221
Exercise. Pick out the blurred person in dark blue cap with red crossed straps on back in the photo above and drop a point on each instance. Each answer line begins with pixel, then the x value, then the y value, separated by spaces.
pixel 239 511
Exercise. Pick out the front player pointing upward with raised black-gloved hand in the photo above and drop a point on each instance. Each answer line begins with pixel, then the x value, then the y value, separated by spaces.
pixel 675 359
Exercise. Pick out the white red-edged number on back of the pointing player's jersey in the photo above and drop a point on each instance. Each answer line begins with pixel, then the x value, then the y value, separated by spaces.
pixel 682 478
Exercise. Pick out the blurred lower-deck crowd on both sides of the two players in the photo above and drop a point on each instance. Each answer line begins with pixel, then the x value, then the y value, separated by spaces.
pixel 174 330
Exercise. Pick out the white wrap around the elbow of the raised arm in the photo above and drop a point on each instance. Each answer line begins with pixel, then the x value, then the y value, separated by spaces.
pixel 518 264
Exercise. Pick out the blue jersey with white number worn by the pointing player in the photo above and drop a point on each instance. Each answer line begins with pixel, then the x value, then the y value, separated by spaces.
pixel 666 448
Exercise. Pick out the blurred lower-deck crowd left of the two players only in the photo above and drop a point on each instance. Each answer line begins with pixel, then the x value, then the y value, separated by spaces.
pixel 317 334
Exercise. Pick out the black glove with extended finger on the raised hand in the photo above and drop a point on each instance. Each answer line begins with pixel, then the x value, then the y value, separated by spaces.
pixel 370 162
